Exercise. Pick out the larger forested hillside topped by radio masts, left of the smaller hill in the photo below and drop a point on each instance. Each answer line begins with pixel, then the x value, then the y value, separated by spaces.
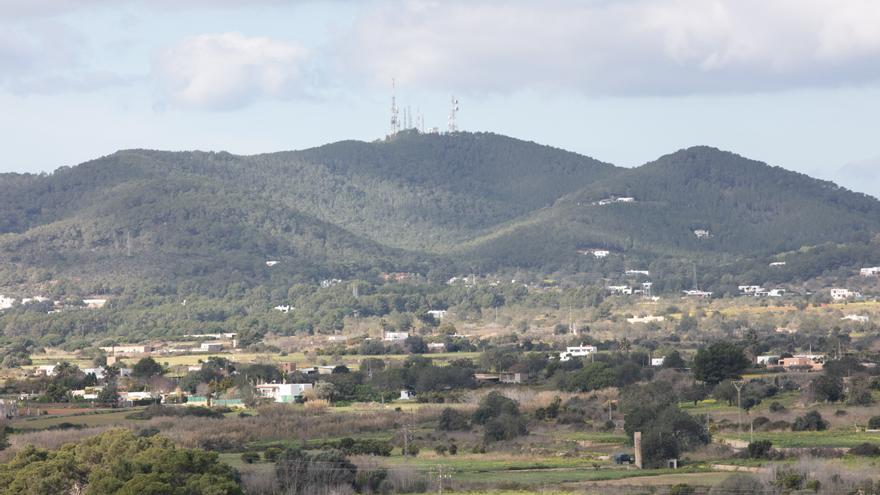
pixel 211 219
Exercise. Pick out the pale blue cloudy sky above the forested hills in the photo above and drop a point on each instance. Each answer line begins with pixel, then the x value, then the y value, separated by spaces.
pixel 794 83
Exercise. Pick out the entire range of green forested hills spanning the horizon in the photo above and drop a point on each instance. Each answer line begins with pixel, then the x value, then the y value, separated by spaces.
pixel 433 204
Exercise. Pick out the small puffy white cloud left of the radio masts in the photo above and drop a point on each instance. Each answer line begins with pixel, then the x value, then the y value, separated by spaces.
pixel 230 70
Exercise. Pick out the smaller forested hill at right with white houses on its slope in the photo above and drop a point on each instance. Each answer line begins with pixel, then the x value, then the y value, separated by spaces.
pixel 749 209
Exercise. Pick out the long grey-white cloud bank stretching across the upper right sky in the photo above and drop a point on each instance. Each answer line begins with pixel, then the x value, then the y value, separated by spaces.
pixel 645 47
